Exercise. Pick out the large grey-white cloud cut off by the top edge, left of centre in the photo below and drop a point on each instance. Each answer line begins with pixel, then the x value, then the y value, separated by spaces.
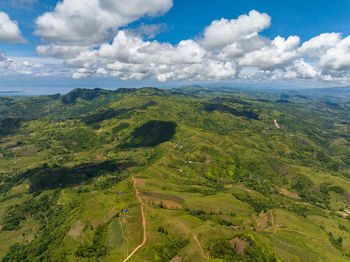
pixel 94 21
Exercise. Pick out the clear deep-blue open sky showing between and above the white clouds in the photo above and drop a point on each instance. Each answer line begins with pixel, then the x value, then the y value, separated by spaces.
pixel 188 18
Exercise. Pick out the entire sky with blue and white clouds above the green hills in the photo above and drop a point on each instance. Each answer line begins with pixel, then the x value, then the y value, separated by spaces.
pixel 279 42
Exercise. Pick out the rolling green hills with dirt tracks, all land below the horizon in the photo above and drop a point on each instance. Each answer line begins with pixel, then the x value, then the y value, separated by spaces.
pixel 219 174
